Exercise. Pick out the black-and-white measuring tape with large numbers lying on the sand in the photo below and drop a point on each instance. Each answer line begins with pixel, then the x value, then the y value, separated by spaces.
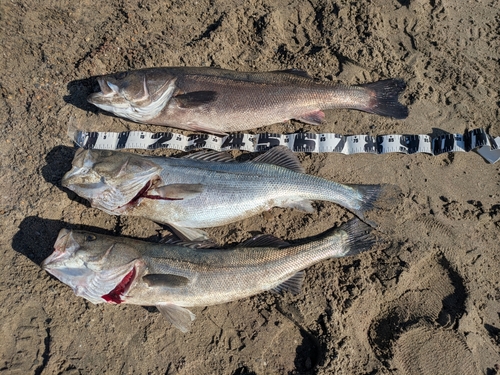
pixel 487 146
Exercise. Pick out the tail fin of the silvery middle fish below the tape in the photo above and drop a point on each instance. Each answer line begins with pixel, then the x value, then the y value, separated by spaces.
pixel 377 198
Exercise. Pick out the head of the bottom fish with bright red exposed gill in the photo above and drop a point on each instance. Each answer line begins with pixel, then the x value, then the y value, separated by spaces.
pixel 98 268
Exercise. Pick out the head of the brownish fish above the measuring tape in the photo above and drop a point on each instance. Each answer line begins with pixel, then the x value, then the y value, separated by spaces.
pixel 138 95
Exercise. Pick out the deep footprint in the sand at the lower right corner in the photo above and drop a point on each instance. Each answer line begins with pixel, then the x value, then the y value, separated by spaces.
pixel 414 333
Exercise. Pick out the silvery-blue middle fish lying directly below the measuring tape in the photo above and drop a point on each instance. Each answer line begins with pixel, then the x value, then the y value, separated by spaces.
pixel 208 189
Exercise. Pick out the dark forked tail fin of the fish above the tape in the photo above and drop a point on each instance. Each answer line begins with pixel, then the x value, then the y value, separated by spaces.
pixel 384 97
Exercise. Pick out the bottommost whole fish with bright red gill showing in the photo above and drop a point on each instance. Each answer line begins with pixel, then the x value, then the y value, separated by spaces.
pixel 172 277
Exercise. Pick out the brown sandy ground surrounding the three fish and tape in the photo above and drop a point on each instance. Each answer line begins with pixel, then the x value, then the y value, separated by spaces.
pixel 428 304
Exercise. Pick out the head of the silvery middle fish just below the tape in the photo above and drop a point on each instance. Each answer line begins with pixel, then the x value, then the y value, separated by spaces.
pixel 110 180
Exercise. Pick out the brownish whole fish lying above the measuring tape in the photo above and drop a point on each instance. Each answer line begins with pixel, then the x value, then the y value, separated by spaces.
pixel 219 101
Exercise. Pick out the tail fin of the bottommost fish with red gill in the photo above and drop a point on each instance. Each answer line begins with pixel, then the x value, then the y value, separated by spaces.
pixel 360 238
